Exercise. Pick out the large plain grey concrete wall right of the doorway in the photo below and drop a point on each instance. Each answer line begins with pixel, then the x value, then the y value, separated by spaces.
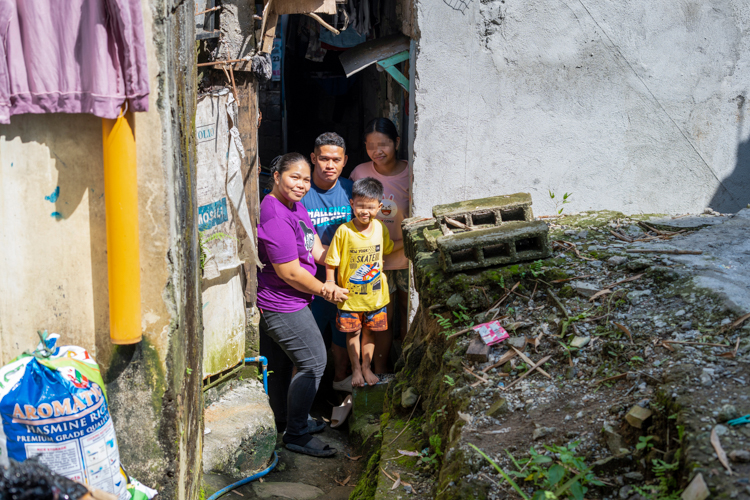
pixel 636 106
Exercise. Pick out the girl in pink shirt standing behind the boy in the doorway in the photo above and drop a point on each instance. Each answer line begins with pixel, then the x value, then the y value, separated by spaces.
pixel 382 142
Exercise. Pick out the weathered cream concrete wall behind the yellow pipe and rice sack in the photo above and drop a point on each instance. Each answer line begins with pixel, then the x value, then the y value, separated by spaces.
pixel 53 267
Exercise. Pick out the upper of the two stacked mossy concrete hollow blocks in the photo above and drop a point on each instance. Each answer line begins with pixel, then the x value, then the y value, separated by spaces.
pixel 484 212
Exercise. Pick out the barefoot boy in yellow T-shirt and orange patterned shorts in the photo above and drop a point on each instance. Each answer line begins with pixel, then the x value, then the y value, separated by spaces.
pixel 357 250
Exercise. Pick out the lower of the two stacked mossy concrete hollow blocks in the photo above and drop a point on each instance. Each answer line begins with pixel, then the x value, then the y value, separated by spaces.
pixel 491 246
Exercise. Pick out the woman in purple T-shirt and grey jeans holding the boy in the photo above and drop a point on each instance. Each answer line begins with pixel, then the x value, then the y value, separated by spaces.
pixel 289 337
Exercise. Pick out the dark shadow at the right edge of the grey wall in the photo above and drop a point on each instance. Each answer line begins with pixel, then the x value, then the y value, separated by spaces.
pixel 734 194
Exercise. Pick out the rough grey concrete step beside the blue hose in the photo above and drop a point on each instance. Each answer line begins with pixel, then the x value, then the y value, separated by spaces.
pixel 241 432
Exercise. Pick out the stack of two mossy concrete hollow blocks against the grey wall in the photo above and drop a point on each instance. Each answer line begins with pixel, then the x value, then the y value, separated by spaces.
pixel 480 233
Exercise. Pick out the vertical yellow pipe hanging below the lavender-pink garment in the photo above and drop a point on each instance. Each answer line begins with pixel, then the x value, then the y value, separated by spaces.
pixel 121 202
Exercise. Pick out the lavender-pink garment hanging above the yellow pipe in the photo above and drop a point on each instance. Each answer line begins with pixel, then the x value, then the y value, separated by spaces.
pixel 73 56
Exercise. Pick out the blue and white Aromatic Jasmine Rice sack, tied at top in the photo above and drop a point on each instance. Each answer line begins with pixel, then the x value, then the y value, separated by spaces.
pixel 53 405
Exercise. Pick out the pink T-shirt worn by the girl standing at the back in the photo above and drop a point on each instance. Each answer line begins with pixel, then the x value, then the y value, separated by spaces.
pixel 396 203
